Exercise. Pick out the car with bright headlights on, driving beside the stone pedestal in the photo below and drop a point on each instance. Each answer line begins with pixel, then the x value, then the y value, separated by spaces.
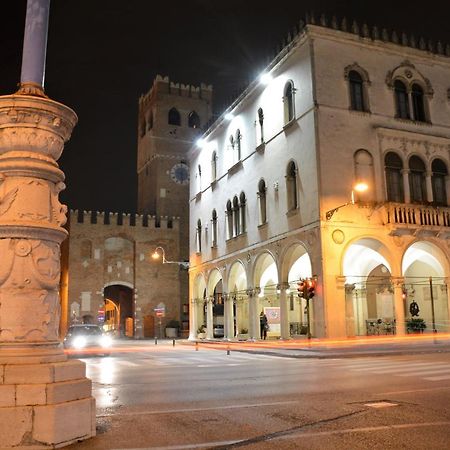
pixel 87 338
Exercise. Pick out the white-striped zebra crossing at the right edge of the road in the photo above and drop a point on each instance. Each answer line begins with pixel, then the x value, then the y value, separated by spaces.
pixel 427 370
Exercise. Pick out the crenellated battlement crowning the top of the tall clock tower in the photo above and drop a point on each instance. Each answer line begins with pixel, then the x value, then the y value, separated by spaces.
pixel 164 85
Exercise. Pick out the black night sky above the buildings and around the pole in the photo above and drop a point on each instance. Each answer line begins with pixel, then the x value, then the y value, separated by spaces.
pixel 103 54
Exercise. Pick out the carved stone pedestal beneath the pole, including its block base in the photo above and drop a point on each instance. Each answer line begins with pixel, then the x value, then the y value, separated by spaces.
pixel 45 399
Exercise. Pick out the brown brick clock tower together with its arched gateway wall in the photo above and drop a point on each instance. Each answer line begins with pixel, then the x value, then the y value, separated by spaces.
pixel 108 271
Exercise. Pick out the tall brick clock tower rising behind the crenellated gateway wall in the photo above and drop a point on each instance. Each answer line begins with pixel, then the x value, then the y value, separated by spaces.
pixel 171 117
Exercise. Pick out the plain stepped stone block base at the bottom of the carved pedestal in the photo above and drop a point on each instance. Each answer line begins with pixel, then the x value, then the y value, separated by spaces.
pixel 45 405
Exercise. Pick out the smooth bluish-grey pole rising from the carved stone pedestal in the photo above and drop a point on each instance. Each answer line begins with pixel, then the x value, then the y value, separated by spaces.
pixel 35 42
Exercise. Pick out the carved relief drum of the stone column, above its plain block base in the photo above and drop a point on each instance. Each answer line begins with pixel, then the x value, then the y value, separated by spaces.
pixel 29 297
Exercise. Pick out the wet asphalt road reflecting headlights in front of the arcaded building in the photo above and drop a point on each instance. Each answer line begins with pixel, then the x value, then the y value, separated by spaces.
pixel 163 397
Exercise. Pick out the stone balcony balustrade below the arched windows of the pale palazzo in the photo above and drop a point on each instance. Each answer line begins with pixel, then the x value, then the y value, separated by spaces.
pixel 414 216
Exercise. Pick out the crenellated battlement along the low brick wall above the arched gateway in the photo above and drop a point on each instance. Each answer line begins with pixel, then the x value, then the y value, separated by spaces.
pixel 123 219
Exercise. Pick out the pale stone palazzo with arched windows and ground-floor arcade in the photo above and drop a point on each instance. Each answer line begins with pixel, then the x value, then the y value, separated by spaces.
pixel 277 202
